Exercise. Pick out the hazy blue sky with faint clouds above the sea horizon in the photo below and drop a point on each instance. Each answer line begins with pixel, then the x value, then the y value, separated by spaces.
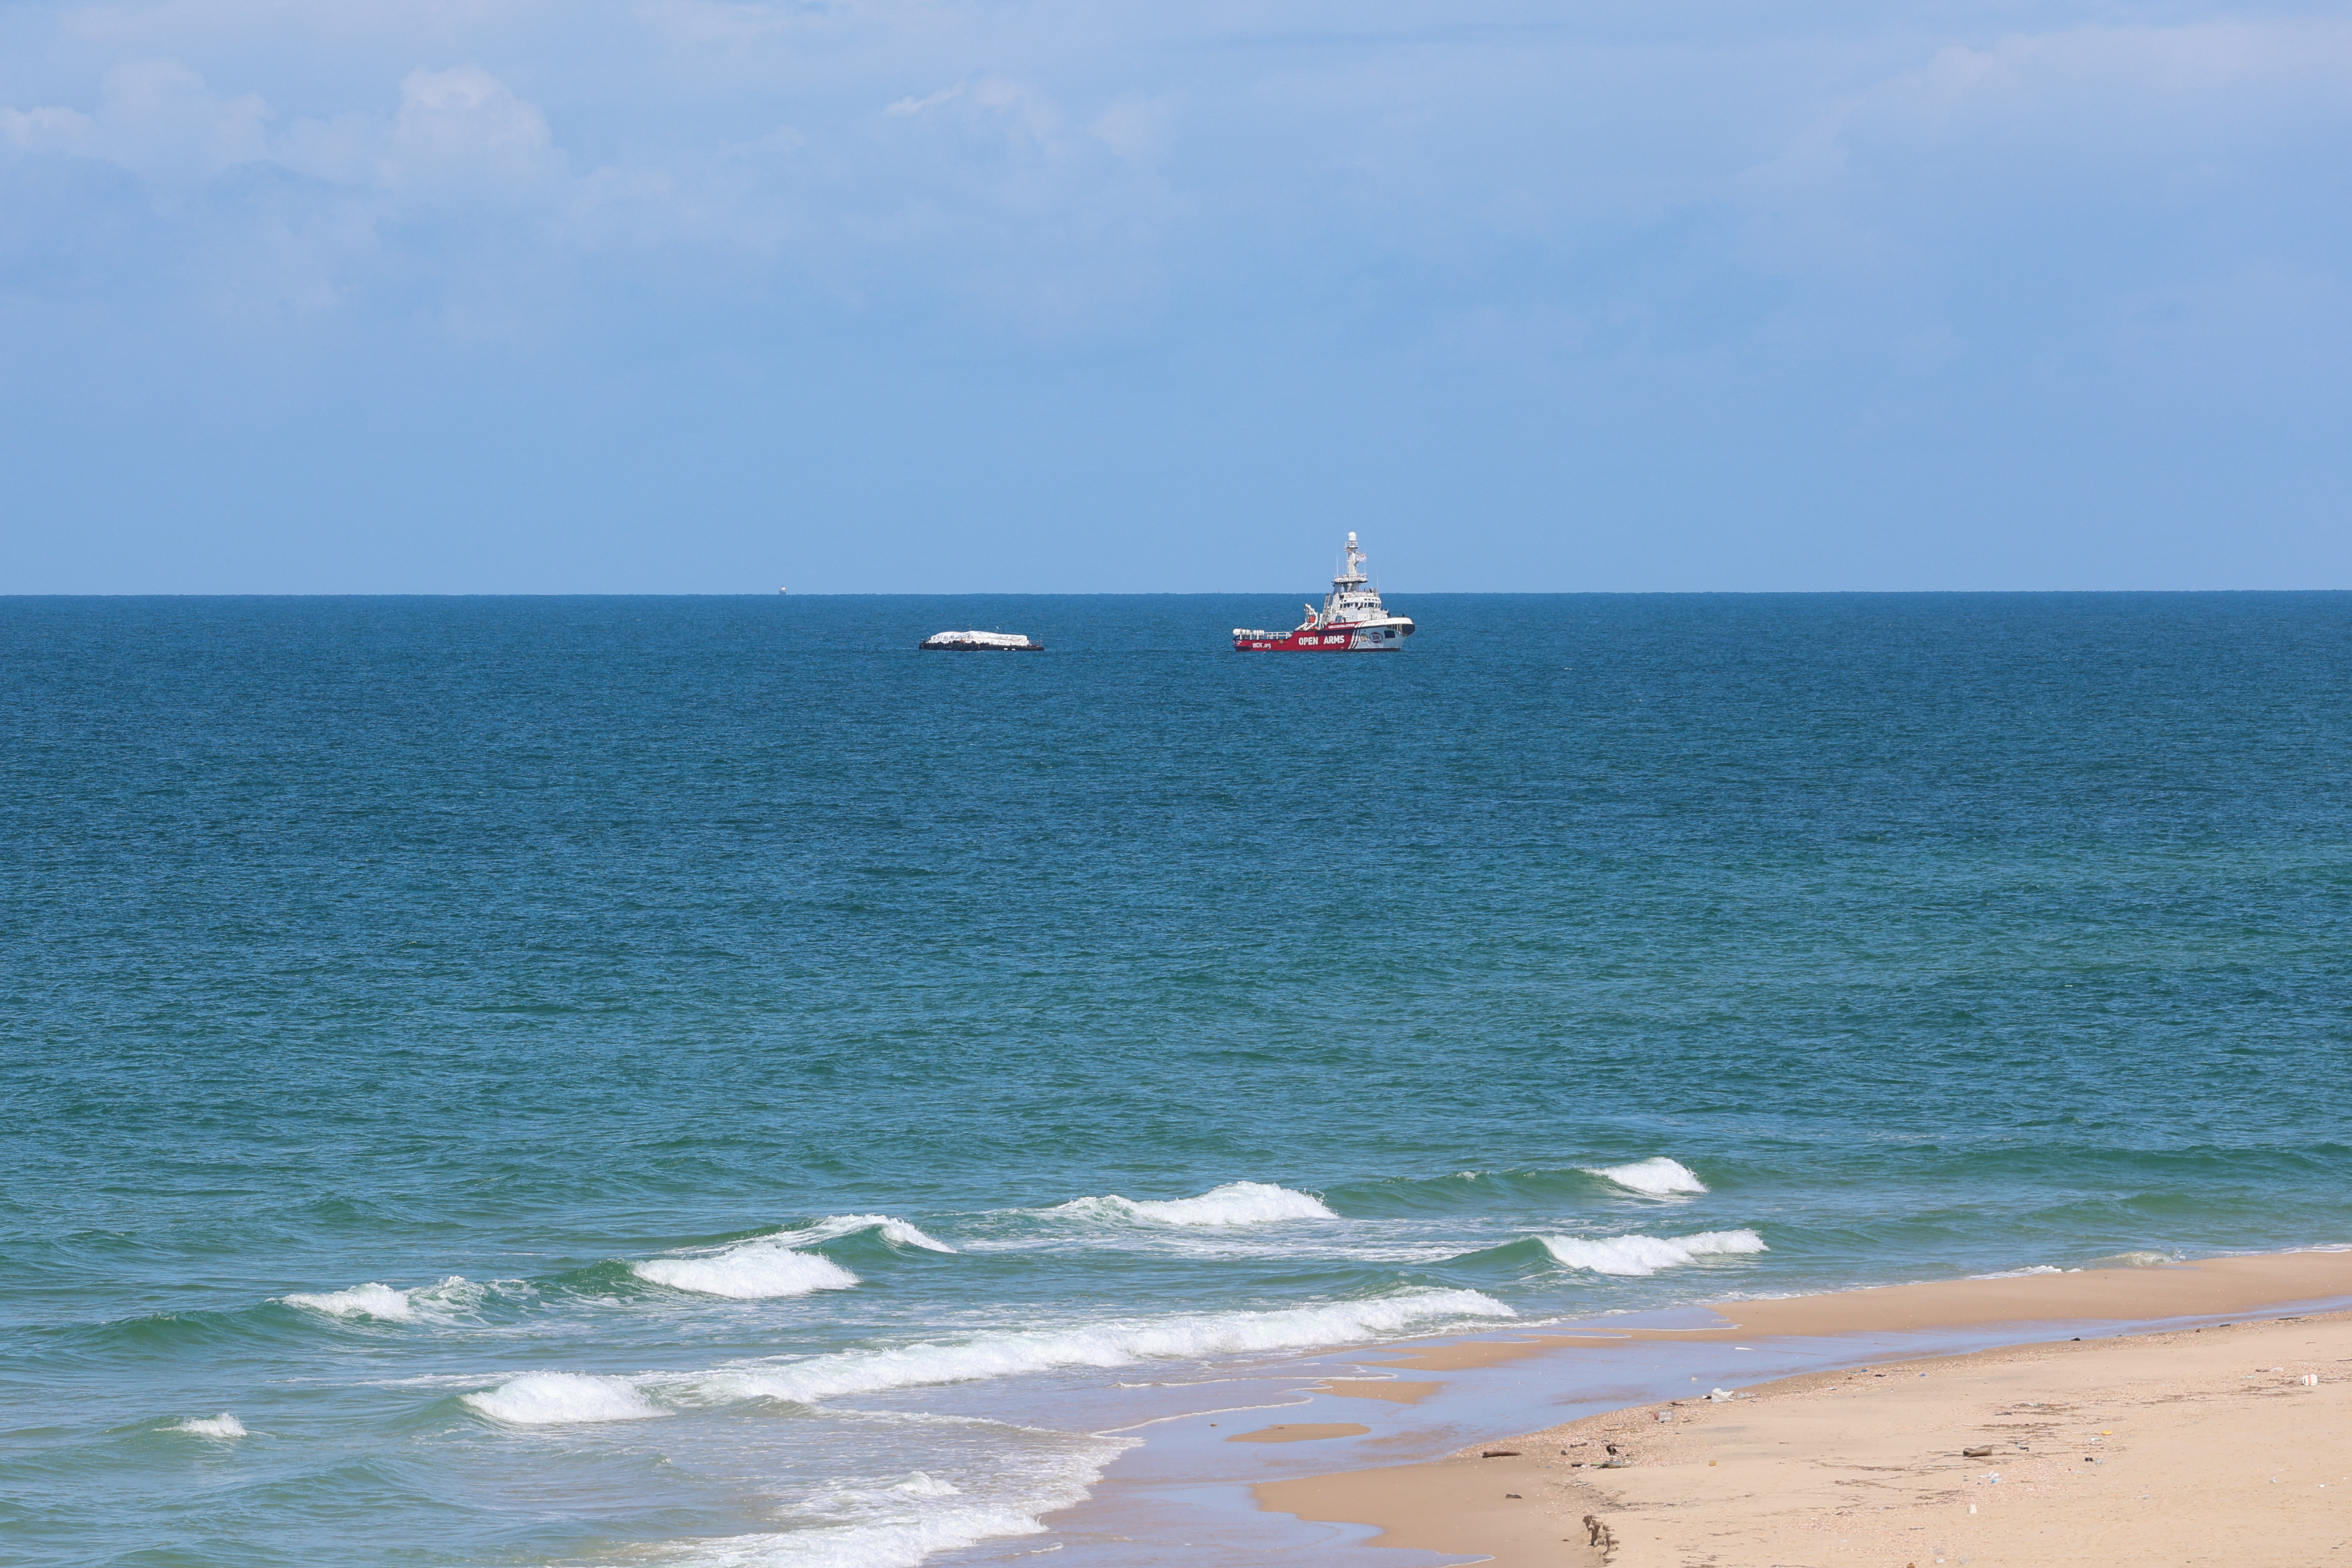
pixel 1031 295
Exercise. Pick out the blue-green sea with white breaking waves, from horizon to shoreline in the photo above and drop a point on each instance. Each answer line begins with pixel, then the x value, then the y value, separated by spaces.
pixel 479 1043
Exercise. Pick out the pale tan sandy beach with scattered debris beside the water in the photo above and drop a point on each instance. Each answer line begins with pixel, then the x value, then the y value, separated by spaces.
pixel 2200 1445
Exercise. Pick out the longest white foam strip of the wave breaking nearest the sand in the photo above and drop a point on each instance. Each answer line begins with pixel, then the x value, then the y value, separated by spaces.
pixel 1111 1343
